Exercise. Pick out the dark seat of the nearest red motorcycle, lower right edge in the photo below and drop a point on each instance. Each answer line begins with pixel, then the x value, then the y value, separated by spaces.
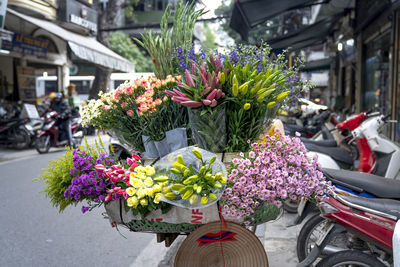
pixel 388 206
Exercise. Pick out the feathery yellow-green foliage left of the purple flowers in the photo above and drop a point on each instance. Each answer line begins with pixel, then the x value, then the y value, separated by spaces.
pixel 57 178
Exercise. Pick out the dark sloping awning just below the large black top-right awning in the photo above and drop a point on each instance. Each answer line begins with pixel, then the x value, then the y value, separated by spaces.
pixel 304 37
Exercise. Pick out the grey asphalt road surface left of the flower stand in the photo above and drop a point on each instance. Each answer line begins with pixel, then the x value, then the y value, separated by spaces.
pixel 33 233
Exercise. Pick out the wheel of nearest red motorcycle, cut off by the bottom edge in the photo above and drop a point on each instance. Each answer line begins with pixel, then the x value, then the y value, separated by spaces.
pixel 350 258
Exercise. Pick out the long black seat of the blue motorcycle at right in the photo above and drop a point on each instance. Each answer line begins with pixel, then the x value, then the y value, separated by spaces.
pixel 375 185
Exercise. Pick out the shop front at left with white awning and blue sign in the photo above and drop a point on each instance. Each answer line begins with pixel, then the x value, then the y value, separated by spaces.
pixel 41 48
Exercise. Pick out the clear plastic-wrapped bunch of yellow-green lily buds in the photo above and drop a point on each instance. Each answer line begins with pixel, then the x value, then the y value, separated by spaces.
pixel 195 177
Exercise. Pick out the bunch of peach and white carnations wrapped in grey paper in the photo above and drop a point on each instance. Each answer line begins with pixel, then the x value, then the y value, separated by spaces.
pixel 140 114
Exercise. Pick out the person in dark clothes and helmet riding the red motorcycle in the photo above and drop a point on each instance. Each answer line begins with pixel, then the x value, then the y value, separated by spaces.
pixel 61 107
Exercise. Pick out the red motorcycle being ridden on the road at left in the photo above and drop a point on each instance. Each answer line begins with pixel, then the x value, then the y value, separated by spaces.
pixel 49 135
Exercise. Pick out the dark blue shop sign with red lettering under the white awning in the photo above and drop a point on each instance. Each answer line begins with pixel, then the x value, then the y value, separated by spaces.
pixel 26 45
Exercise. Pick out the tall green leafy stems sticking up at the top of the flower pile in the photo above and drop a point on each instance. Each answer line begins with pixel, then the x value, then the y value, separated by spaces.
pixel 161 47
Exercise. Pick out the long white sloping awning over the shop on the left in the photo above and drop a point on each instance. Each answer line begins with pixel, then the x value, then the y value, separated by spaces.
pixel 84 47
